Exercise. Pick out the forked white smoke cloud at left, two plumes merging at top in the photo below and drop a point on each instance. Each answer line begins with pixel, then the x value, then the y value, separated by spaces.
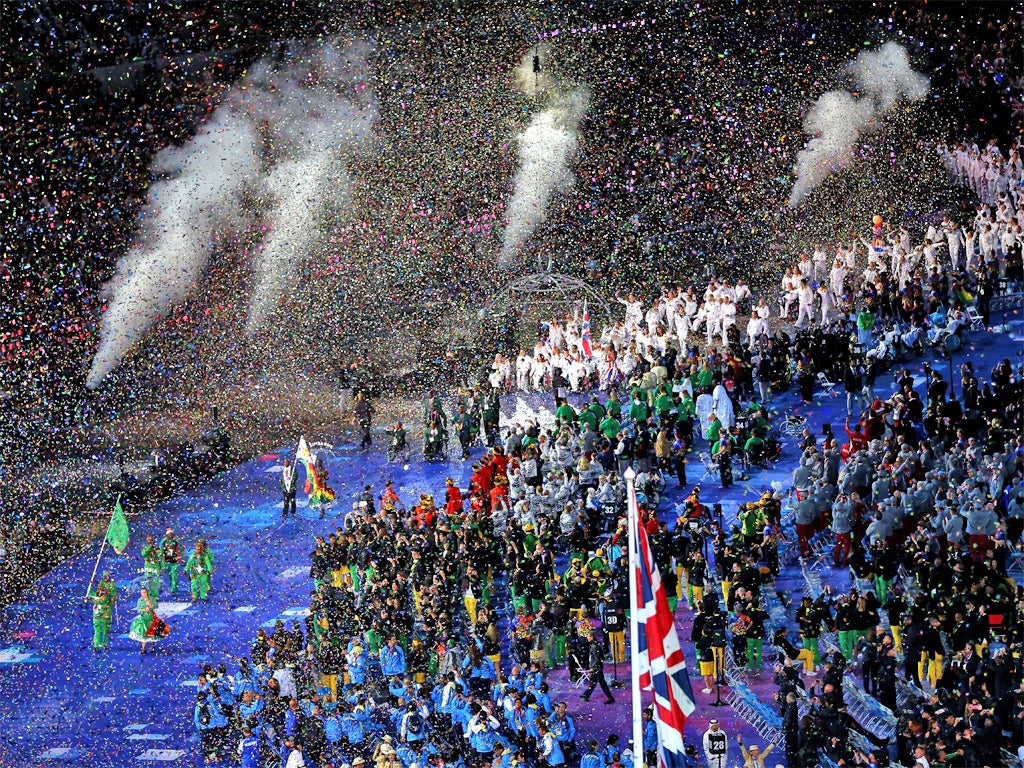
pixel 310 111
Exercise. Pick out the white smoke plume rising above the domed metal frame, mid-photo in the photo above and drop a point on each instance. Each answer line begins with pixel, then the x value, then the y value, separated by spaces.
pixel 546 147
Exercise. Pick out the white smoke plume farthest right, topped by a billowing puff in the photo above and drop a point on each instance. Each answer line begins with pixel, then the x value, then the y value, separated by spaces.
pixel 838 120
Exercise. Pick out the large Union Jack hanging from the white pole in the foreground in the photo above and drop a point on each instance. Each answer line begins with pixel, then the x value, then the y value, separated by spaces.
pixel 663 668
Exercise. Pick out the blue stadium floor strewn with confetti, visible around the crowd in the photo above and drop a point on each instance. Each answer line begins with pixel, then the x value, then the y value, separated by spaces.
pixel 62 705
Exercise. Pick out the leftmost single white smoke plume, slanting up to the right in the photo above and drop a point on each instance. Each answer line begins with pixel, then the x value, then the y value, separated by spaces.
pixel 204 181
